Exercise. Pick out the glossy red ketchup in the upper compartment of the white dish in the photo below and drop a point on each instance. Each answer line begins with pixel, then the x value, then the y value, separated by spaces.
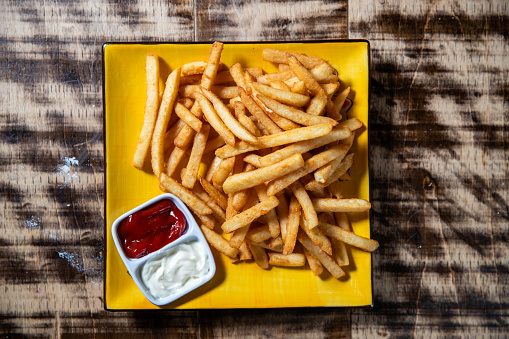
pixel 151 228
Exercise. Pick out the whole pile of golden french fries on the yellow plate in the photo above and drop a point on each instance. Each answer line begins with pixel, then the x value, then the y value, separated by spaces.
pixel 275 147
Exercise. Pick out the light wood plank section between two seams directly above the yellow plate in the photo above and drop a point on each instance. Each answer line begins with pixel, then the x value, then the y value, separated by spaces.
pixel 269 21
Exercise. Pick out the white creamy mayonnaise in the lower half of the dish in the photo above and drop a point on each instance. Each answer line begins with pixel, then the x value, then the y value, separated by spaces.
pixel 179 267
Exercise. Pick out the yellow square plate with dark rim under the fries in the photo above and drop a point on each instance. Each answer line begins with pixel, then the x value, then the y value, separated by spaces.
pixel 243 285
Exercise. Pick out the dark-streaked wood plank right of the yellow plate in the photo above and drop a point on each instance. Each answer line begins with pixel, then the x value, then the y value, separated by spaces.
pixel 439 163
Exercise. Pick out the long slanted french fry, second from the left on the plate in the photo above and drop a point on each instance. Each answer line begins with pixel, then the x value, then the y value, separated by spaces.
pixel 163 117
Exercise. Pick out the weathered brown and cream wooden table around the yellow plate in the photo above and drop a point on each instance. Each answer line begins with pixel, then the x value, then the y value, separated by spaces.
pixel 439 136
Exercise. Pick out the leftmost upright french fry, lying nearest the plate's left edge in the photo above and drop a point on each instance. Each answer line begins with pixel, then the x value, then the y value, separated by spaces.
pixel 151 105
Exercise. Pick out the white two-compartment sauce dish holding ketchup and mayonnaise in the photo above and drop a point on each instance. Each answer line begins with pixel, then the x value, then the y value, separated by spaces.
pixel 163 249
